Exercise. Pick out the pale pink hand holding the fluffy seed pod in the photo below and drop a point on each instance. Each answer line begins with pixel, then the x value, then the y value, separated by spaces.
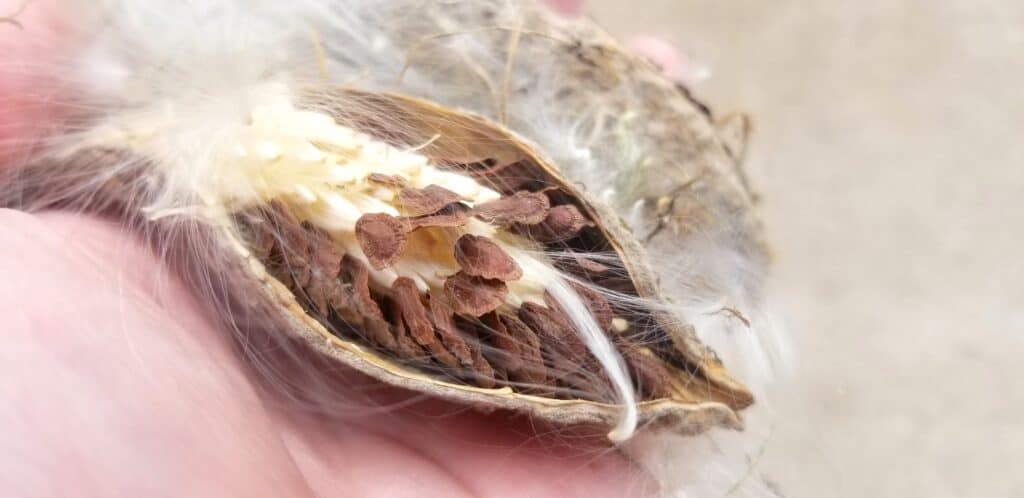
pixel 114 382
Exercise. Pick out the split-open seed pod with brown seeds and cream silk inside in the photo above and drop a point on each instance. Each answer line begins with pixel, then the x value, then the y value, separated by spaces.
pixel 452 268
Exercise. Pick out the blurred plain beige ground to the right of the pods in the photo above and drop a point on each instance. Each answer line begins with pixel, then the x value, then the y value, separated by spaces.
pixel 889 154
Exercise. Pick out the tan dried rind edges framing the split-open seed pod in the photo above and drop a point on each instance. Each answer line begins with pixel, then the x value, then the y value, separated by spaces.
pixel 722 397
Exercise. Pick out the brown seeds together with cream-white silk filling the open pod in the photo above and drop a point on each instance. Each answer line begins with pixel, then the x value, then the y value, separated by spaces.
pixel 429 265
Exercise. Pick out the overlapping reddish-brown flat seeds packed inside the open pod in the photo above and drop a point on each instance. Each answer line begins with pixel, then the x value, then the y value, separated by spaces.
pixel 465 327
